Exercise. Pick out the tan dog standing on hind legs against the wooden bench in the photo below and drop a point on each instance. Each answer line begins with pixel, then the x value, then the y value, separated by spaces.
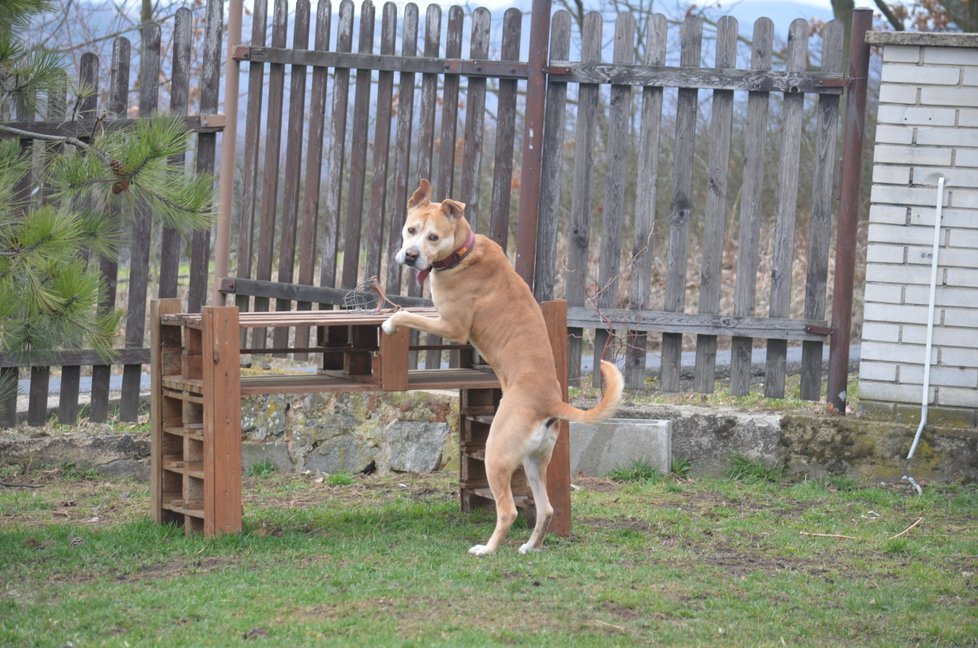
pixel 481 300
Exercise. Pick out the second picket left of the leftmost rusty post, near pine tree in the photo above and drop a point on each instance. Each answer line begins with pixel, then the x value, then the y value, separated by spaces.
pixel 171 239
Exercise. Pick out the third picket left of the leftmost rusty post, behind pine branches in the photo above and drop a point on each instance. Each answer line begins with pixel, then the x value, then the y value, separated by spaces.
pixel 142 228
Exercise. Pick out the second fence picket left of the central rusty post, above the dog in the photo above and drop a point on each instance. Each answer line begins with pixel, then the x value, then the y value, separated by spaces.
pixel 475 117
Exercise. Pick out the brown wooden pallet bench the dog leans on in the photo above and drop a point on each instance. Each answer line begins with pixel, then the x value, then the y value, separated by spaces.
pixel 197 387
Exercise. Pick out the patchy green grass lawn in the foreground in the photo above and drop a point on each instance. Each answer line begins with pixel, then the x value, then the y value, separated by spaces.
pixel 382 561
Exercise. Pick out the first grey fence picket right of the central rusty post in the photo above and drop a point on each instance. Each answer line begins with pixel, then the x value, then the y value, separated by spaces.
pixel 552 165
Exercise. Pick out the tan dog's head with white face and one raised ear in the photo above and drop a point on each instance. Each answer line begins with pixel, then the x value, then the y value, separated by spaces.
pixel 431 230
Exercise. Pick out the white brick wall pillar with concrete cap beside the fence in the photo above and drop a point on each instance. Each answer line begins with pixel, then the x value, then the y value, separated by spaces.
pixel 928 127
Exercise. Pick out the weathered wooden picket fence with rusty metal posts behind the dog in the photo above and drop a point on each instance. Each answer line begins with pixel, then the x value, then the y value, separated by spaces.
pixel 341 122
